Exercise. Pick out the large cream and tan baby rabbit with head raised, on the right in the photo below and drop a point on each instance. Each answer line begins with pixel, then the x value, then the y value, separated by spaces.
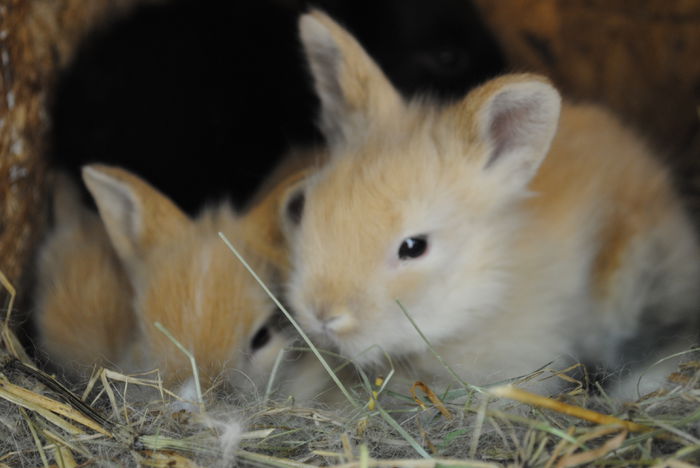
pixel 514 228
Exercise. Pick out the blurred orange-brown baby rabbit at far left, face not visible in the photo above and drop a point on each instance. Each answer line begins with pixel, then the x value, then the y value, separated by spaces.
pixel 83 297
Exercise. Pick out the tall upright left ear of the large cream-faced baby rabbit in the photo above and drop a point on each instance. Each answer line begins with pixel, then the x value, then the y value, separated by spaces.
pixel 354 92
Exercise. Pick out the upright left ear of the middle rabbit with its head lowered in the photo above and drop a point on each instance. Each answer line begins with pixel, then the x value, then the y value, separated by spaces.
pixel 137 217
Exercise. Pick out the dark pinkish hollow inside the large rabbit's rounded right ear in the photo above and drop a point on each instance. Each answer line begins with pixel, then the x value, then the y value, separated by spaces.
pixel 511 118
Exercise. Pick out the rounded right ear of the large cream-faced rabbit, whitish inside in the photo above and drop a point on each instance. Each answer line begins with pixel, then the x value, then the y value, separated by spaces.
pixel 516 119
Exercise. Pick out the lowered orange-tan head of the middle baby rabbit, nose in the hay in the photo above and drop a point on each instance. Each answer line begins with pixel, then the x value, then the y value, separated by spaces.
pixel 184 277
